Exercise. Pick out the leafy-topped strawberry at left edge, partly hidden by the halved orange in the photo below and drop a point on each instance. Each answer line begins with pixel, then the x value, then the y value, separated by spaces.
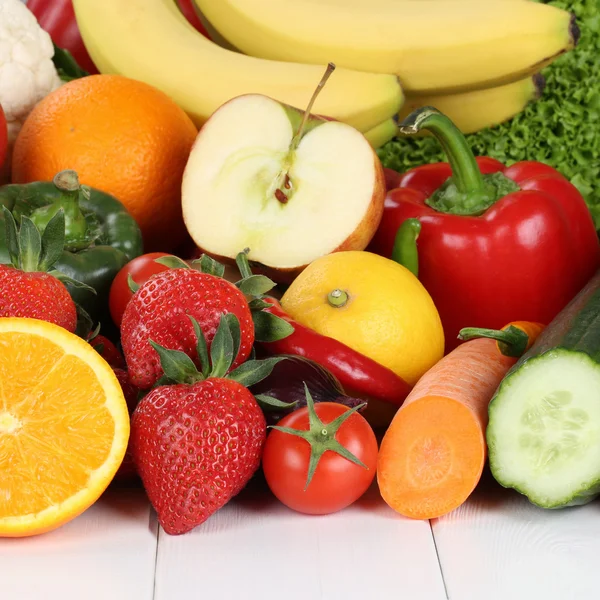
pixel 30 287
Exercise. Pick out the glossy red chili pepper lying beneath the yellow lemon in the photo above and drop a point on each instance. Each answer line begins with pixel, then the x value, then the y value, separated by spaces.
pixel 358 374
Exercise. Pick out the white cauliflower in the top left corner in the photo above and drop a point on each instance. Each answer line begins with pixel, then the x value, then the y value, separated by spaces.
pixel 27 73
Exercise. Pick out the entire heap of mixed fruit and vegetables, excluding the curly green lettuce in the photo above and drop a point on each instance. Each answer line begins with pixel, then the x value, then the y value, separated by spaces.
pixel 207 275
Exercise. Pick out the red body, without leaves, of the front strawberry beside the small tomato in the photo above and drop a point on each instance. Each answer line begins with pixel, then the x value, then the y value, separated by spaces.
pixel 195 447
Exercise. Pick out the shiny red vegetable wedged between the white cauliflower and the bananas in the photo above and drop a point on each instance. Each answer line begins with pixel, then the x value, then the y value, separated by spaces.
pixel 57 17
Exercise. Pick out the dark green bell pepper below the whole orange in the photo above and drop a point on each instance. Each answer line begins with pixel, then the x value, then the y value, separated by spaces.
pixel 100 234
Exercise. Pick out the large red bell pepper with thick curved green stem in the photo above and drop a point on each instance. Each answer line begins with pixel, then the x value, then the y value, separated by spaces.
pixel 496 244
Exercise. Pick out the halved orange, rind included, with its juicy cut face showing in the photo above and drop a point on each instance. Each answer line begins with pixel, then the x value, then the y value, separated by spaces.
pixel 64 426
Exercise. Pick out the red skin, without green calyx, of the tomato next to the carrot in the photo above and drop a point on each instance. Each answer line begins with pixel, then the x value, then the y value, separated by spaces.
pixel 337 482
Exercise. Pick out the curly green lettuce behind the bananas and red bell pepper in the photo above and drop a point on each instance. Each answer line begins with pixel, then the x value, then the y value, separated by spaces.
pixel 562 129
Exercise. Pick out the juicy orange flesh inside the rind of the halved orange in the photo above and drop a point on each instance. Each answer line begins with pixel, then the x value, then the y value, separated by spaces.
pixel 55 428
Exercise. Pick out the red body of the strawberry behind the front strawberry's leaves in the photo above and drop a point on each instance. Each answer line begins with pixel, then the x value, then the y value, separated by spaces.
pixel 159 311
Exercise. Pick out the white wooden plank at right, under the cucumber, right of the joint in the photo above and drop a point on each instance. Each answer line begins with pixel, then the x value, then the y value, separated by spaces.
pixel 498 546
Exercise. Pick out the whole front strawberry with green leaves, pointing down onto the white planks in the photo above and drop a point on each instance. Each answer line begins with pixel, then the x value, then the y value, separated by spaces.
pixel 197 438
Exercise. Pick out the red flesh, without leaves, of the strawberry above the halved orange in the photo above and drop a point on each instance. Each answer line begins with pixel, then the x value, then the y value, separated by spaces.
pixel 36 295
